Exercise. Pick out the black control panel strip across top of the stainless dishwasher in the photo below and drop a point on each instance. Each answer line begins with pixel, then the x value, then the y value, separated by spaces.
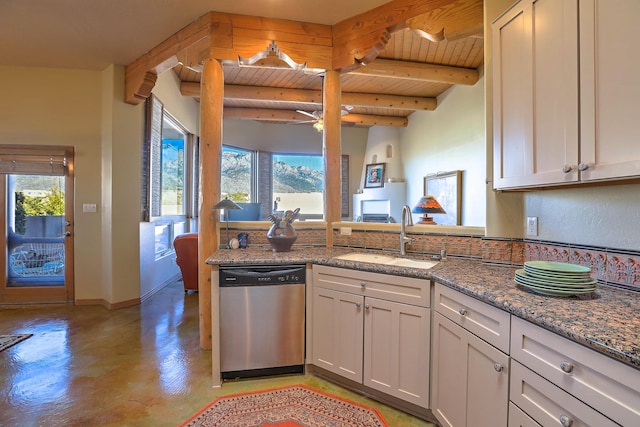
pixel 256 275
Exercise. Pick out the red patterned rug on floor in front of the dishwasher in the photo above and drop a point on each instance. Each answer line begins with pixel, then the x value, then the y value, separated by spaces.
pixel 294 406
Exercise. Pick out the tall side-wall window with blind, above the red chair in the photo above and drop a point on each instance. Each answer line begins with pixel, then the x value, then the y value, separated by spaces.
pixel 169 176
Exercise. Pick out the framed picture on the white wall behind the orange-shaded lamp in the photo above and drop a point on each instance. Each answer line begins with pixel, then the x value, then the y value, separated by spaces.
pixel 446 188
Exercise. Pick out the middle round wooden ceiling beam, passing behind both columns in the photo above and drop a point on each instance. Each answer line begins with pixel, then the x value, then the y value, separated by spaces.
pixel 314 97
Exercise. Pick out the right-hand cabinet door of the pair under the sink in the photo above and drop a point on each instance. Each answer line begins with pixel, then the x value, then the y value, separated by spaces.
pixel 396 350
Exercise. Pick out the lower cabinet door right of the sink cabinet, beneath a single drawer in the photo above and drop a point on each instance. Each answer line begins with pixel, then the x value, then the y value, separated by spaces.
pixel 470 380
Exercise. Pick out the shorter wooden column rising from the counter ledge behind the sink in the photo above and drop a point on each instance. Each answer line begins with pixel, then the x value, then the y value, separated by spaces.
pixel 332 150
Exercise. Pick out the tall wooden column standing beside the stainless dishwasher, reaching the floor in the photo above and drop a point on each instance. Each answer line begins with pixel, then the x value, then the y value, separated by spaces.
pixel 212 94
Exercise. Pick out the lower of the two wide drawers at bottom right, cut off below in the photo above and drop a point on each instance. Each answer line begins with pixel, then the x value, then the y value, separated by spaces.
pixel 548 404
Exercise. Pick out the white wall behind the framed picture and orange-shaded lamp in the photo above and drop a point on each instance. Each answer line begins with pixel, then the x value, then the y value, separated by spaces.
pixel 452 137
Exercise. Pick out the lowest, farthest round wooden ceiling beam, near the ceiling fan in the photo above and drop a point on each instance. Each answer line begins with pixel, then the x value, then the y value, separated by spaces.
pixel 293 117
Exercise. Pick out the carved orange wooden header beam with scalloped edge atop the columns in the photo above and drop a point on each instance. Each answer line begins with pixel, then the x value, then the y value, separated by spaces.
pixel 343 46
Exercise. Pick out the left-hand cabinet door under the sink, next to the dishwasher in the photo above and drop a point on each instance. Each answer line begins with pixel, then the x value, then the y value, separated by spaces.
pixel 338 332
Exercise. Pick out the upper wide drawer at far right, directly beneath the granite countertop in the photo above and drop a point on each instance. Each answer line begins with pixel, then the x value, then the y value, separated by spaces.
pixel 609 386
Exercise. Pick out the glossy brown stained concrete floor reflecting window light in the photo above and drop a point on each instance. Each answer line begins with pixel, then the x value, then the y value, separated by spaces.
pixel 138 366
